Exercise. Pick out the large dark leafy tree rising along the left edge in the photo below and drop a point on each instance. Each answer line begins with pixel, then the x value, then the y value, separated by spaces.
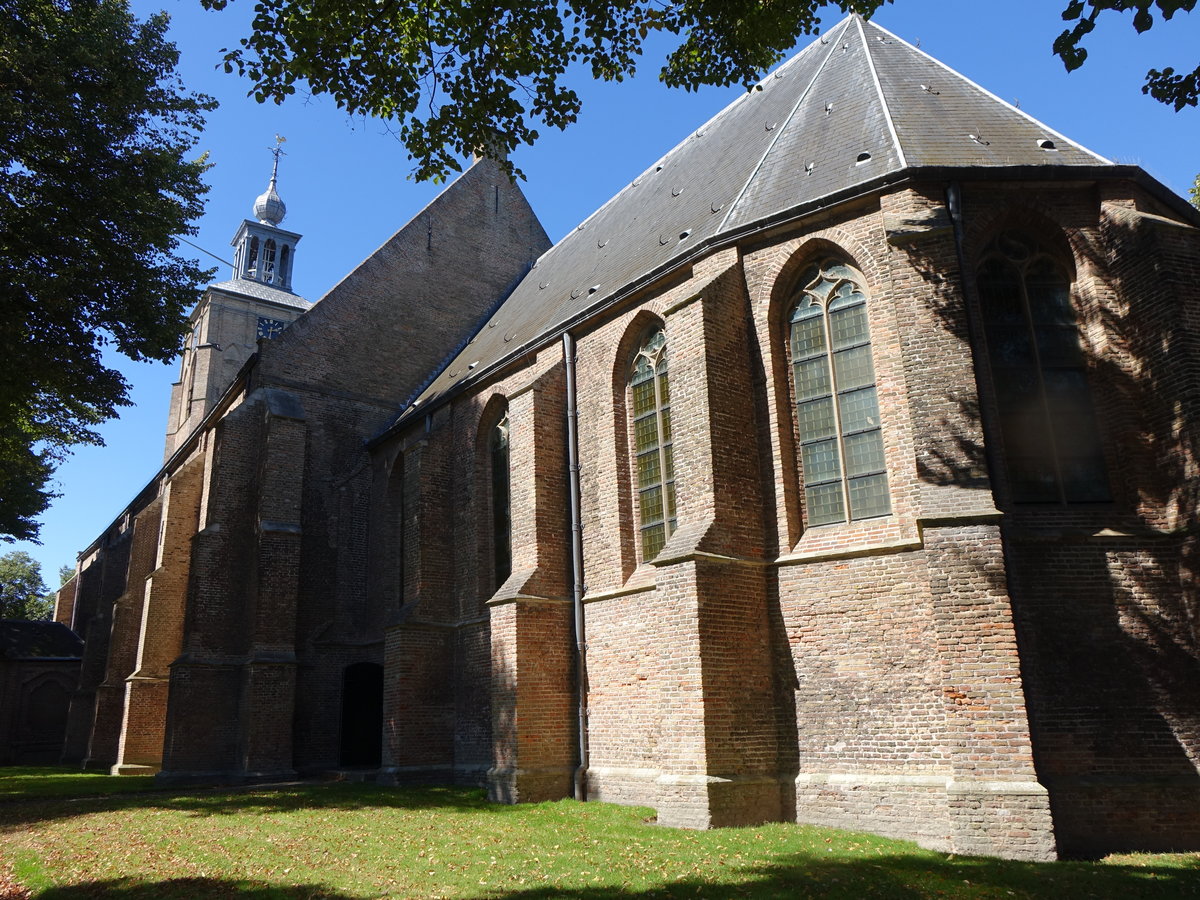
pixel 95 184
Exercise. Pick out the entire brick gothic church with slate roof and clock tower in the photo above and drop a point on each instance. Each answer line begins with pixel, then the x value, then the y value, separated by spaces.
pixel 843 469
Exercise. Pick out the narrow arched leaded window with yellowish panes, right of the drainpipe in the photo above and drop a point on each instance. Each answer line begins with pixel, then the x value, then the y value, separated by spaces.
pixel 652 445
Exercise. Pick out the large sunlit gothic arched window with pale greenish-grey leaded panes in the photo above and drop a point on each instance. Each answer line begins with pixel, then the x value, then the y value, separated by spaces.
pixel 837 407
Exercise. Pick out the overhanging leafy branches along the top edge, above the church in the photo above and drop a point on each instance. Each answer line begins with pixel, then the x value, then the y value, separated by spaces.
pixel 482 76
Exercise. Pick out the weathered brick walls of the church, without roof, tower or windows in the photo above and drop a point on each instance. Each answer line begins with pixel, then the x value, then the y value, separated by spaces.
pixel 981 675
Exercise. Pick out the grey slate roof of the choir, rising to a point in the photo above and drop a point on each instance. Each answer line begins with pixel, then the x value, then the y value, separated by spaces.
pixel 855 106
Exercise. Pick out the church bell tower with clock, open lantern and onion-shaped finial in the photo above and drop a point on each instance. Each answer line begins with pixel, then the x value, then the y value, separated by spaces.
pixel 233 316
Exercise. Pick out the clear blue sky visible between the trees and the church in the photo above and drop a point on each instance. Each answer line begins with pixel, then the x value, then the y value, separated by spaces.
pixel 345 179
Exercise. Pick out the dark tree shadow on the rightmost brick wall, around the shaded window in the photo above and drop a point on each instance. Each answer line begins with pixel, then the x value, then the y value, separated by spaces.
pixel 1106 596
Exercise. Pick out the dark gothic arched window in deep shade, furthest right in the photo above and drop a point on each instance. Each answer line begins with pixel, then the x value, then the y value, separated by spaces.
pixel 1052 445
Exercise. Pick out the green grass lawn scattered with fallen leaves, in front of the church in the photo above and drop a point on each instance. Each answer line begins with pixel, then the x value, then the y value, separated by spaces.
pixel 340 841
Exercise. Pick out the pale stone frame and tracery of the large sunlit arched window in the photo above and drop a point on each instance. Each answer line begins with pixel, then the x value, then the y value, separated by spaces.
pixel 838 273
